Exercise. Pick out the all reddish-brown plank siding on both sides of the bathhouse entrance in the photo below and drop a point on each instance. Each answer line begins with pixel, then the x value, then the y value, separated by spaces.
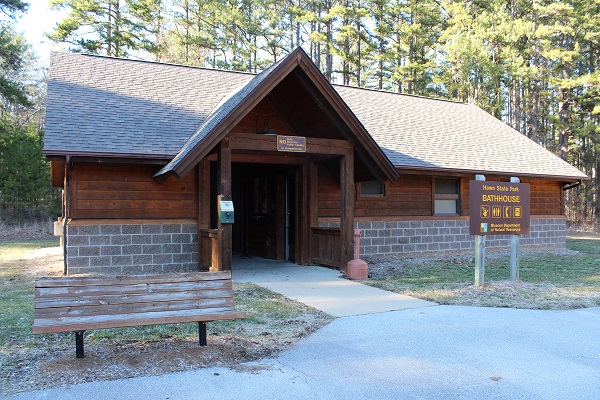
pixel 128 191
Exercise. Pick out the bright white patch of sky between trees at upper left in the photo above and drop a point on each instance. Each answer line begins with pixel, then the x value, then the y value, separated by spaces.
pixel 33 24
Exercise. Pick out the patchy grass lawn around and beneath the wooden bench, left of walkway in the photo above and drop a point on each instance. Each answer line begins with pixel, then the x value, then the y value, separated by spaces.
pixel 29 362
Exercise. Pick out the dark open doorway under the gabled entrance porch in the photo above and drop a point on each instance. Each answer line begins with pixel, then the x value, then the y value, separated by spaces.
pixel 264 197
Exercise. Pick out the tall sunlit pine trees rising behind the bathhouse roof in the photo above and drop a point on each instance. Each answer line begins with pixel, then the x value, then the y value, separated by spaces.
pixel 532 63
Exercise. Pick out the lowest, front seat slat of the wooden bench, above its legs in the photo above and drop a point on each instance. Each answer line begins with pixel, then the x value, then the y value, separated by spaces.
pixel 56 325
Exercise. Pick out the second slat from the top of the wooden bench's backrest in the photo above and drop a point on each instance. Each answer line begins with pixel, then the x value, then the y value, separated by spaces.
pixel 139 288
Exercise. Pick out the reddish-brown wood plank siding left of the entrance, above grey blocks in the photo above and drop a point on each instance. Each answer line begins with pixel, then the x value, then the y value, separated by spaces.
pixel 125 191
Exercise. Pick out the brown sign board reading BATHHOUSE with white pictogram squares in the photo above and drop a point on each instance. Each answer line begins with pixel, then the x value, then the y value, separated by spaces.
pixel 499 208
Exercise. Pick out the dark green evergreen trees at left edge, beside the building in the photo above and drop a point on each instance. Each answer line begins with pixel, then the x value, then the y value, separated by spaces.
pixel 25 189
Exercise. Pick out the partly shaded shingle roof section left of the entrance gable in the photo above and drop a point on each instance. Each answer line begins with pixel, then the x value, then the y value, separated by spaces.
pixel 117 106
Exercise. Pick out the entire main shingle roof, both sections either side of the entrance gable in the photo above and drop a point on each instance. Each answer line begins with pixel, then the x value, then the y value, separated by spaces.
pixel 103 105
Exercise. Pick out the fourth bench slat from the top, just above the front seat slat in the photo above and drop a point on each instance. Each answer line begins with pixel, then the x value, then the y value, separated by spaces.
pixel 112 309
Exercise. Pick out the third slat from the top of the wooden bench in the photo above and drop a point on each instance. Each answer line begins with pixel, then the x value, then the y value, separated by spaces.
pixel 125 298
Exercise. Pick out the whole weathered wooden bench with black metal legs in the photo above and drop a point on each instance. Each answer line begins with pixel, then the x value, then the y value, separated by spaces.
pixel 77 304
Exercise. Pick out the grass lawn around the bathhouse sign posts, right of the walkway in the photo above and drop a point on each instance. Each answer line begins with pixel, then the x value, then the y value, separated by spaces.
pixel 547 281
